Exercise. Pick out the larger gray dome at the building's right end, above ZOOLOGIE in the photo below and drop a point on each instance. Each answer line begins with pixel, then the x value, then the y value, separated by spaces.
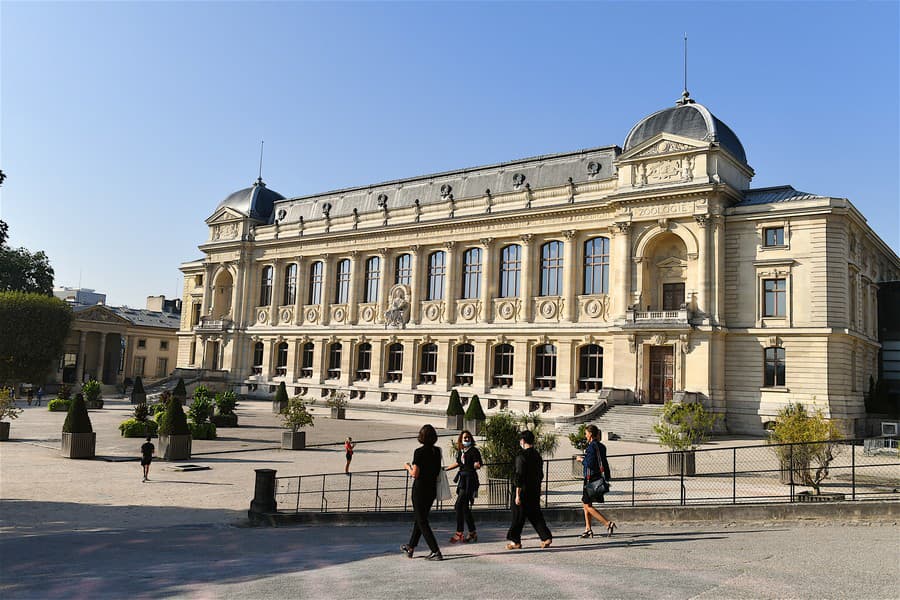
pixel 688 119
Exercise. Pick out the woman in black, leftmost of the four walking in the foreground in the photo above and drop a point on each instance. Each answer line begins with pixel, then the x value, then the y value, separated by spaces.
pixel 424 469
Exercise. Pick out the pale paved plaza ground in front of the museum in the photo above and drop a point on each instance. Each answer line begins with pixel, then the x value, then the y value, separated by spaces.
pixel 91 529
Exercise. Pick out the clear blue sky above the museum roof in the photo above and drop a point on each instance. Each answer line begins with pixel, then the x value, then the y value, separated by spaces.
pixel 125 124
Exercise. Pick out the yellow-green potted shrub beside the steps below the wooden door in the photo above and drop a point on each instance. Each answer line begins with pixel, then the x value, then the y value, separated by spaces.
pixel 683 426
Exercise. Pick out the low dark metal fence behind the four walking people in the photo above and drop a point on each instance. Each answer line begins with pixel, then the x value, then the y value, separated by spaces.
pixel 737 475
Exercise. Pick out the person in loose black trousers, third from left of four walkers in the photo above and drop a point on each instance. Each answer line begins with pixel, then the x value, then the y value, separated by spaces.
pixel 529 473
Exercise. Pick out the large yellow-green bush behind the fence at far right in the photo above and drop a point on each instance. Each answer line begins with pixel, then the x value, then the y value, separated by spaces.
pixel 806 444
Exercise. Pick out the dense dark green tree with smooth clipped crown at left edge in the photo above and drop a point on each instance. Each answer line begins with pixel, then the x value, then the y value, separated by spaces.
pixel 34 330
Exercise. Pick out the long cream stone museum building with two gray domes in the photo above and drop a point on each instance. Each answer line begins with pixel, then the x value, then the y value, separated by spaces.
pixel 630 275
